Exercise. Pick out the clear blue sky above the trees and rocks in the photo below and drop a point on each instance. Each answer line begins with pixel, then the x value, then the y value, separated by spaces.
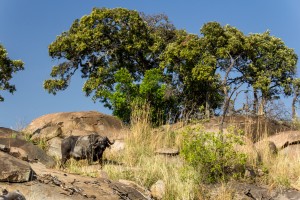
pixel 28 27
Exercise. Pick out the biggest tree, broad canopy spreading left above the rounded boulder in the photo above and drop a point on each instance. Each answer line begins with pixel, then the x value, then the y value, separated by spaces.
pixel 114 50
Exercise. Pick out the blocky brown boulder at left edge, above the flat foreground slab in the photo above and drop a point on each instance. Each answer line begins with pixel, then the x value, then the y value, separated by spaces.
pixel 13 169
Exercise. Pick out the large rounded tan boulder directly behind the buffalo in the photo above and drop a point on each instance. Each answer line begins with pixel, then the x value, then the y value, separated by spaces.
pixel 72 123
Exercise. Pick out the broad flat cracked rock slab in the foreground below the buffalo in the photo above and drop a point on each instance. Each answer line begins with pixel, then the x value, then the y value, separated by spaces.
pixel 53 184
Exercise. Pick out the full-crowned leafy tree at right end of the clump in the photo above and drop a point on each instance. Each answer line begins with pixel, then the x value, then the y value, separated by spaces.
pixel 271 68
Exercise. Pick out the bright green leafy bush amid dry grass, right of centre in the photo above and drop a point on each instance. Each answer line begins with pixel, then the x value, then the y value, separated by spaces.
pixel 213 155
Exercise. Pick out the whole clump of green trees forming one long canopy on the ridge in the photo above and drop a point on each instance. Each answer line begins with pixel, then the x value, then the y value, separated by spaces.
pixel 128 57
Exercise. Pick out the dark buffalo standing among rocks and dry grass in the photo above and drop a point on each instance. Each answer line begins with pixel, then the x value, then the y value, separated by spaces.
pixel 90 147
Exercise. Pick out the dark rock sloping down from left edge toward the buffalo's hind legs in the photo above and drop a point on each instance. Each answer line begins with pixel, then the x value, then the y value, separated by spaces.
pixel 34 153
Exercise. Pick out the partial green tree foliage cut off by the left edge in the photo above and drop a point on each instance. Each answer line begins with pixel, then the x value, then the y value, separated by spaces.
pixel 7 68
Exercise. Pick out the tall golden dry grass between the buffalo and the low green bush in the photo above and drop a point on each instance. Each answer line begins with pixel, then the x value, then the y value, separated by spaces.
pixel 143 166
